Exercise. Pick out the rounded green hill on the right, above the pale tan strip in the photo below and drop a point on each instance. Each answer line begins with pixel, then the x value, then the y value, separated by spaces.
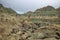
pixel 45 11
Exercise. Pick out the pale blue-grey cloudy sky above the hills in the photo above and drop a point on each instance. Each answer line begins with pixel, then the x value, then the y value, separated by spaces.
pixel 22 6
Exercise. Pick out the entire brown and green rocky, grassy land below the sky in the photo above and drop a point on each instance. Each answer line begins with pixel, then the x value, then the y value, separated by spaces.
pixel 43 24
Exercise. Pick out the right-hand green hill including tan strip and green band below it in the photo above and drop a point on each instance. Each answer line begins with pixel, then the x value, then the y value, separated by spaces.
pixel 44 14
